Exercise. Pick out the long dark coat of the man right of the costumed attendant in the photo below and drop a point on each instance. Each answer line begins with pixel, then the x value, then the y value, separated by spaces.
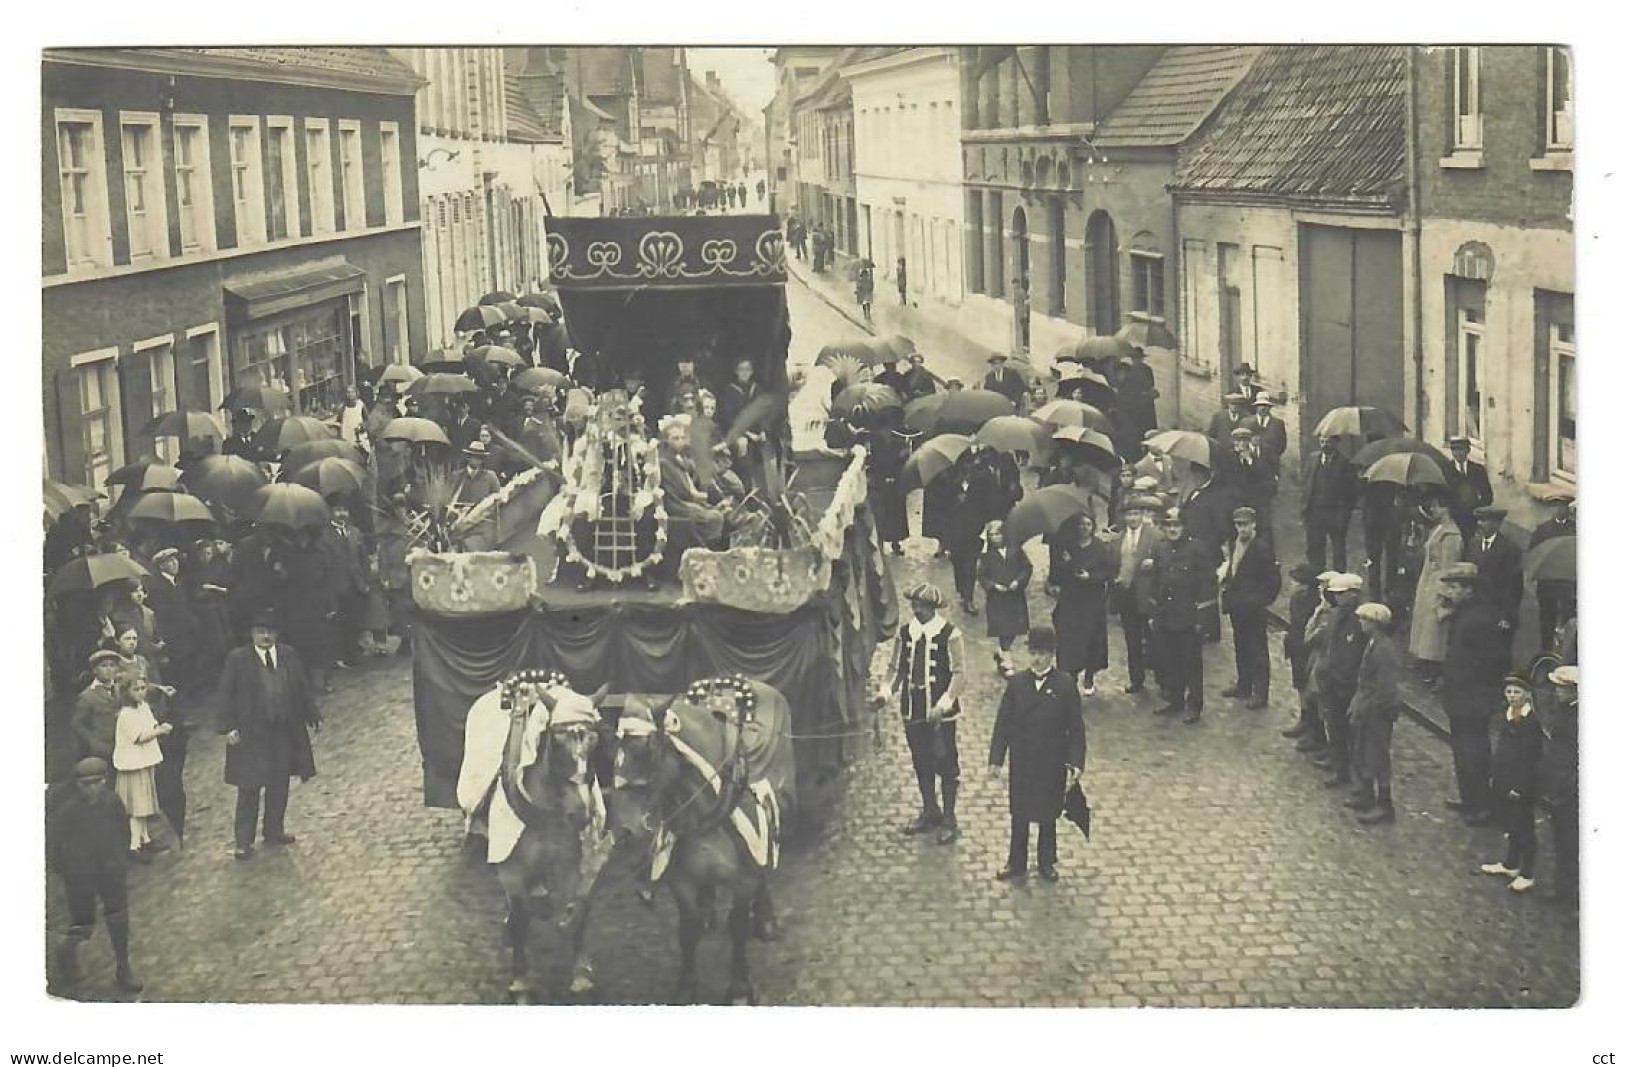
pixel 1042 732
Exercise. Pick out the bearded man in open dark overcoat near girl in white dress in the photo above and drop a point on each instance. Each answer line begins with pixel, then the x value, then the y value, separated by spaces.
pixel 266 707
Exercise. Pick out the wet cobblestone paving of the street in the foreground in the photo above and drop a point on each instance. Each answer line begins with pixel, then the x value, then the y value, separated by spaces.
pixel 1221 873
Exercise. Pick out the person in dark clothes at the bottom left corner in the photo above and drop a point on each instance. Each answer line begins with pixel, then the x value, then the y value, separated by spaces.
pixel 89 847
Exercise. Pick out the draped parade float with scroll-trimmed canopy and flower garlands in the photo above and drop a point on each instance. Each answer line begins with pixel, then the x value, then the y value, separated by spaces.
pixel 610 589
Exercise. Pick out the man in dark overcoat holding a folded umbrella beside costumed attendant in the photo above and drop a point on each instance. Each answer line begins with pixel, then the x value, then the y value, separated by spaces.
pixel 1041 728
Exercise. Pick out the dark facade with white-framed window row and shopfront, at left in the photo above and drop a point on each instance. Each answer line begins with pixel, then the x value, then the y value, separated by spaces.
pixel 217 218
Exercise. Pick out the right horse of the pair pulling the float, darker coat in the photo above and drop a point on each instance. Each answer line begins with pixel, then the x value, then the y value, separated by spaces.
pixel 704 784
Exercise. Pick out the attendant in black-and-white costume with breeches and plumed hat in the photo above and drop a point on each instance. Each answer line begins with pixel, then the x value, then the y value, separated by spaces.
pixel 929 663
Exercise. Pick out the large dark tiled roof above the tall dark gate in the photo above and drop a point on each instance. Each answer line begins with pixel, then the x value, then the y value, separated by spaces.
pixel 1315 124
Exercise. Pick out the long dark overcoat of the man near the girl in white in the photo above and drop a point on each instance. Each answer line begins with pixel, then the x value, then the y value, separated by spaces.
pixel 272 748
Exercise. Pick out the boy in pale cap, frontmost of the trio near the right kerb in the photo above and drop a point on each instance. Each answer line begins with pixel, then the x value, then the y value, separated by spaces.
pixel 1372 717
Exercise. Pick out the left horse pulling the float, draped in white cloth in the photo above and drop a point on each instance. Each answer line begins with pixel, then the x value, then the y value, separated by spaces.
pixel 565 839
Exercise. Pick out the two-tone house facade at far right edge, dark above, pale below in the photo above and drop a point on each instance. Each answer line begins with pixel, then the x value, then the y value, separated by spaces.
pixel 1494 178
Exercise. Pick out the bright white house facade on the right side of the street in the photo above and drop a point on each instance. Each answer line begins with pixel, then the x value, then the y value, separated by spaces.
pixel 909 170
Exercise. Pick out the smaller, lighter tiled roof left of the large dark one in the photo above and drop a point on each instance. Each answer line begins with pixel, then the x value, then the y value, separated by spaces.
pixel 1176 97
